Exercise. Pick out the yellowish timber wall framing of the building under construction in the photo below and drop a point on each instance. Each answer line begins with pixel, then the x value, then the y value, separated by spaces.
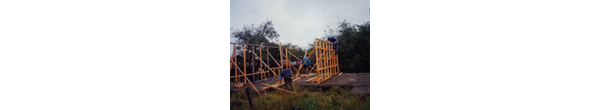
pixel 326 65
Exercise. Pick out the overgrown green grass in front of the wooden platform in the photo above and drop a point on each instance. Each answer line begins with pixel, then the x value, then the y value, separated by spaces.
pixel 310 98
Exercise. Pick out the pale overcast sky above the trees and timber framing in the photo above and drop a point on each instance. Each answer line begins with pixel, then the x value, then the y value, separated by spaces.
pixel 298 21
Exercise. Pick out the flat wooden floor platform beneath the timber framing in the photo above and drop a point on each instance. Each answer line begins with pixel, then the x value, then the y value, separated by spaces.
pixel 360 81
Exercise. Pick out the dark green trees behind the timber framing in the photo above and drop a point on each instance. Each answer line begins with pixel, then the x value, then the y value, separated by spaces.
pixel 354 44
